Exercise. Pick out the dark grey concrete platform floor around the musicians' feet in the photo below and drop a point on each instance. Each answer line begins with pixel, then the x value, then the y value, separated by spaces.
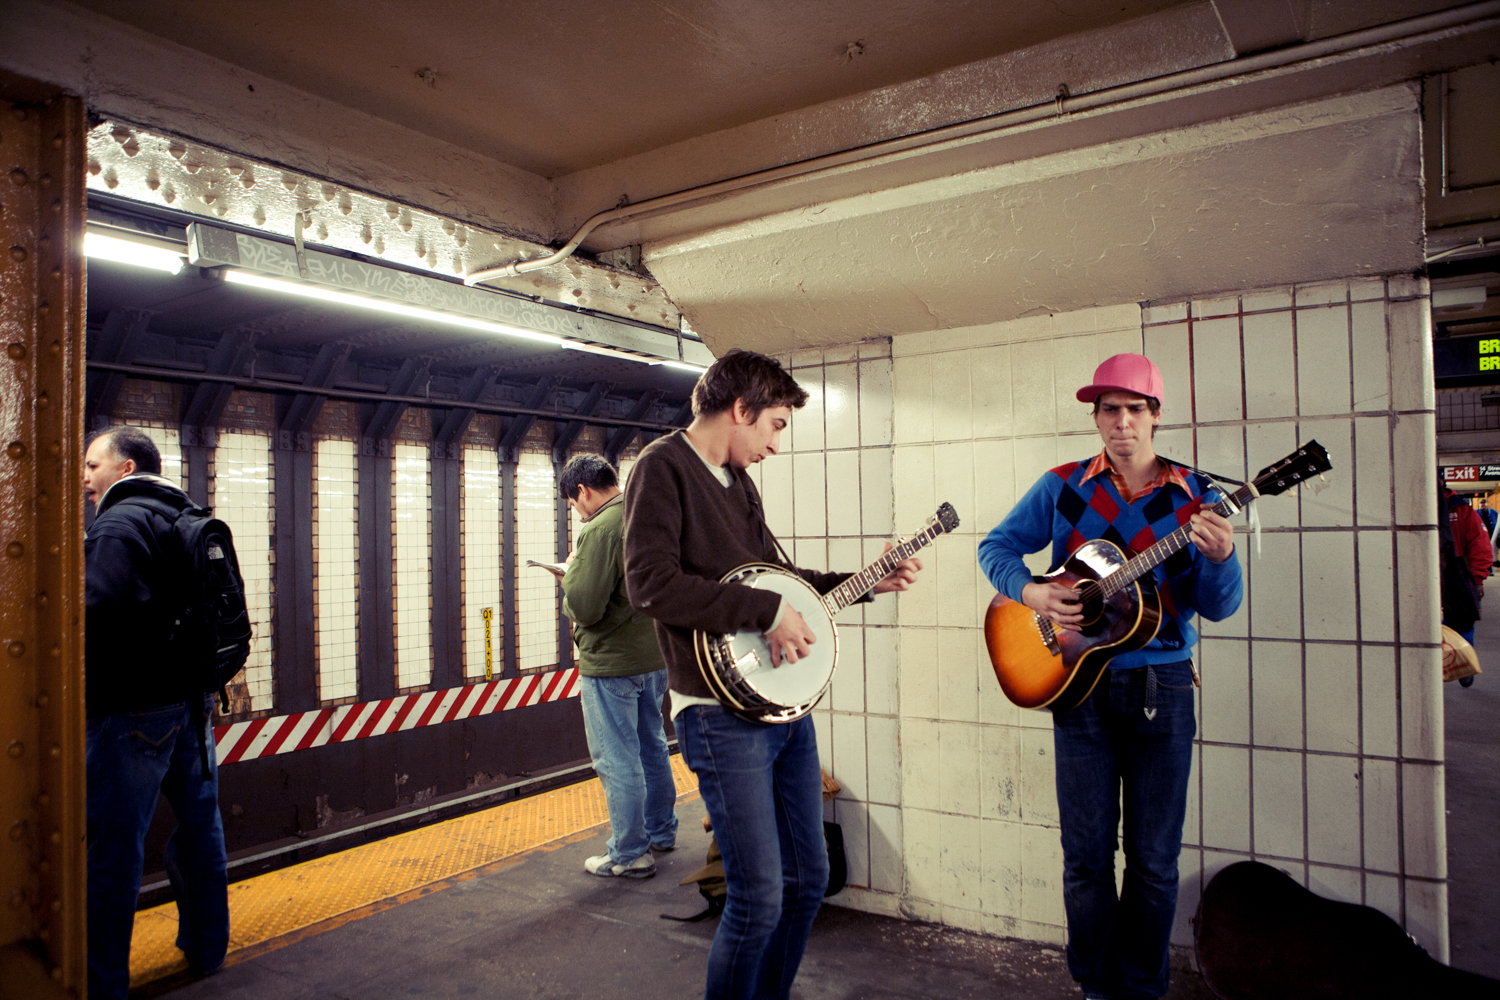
pixel 545 929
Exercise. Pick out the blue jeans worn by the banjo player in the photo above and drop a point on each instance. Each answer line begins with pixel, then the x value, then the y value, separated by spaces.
pixel 764 792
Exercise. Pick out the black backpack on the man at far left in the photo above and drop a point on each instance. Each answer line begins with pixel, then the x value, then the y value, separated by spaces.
pixel 212 632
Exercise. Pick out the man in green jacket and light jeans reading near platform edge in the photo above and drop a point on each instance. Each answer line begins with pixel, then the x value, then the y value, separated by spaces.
pixel 623 678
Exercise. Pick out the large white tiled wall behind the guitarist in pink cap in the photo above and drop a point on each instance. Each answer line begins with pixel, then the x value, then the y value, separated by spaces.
pixel 1321 731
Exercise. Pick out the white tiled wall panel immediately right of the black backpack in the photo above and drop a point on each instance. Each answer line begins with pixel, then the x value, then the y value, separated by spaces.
pixel 244 499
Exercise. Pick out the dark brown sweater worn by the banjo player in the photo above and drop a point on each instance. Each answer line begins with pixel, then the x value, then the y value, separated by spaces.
pixel 685 530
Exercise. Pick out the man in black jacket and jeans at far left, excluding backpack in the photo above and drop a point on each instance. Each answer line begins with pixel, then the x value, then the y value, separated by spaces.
pixel 148 731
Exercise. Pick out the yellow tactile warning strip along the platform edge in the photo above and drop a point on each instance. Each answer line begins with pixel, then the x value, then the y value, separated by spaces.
pixel 281 903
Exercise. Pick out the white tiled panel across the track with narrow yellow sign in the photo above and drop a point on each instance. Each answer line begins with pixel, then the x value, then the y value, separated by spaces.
pixel 482 561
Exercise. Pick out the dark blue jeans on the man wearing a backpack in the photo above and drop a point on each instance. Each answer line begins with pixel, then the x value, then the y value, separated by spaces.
pixel 133 758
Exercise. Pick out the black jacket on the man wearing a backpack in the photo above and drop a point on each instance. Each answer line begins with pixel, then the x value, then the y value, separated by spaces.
pixel 131 599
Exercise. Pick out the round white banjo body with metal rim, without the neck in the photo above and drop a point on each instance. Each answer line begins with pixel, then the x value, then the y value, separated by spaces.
pixel 743 660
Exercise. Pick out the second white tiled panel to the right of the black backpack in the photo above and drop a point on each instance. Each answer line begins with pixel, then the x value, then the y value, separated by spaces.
pixel 337 567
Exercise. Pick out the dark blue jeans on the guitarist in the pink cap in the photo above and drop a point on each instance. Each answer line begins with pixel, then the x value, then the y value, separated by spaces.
pixel 1118 947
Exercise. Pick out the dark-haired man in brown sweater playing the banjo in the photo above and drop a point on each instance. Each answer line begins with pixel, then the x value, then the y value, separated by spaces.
pixel 692 515
